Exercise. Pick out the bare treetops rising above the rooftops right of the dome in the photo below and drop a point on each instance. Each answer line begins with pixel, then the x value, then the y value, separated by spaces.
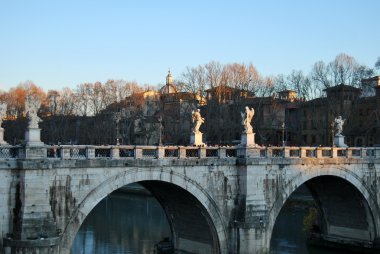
pixel 344 69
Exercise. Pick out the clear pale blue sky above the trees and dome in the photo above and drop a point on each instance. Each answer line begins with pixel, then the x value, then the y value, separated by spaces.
pixel 60 44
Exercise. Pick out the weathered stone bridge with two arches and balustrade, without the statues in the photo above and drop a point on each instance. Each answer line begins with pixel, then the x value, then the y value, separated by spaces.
pixel 217 199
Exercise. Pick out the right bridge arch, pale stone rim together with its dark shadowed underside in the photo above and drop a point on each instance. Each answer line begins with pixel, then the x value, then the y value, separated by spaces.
pixel 346 191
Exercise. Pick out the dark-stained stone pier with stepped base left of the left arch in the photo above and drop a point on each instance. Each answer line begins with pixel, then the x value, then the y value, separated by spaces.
pixel 33 228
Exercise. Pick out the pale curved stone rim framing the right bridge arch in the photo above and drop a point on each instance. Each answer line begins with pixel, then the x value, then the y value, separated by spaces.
pixel 340 173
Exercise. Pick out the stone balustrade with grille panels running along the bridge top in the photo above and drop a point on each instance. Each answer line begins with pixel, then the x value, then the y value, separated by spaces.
pixel 186 152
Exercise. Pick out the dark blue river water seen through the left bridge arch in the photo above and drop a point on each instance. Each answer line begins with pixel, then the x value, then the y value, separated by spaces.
pixel 122 223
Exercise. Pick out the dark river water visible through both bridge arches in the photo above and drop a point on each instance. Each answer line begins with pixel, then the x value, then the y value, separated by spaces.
pixel 132 223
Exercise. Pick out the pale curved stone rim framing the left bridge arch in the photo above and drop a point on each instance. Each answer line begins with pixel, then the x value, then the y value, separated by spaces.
pixel 135 175
